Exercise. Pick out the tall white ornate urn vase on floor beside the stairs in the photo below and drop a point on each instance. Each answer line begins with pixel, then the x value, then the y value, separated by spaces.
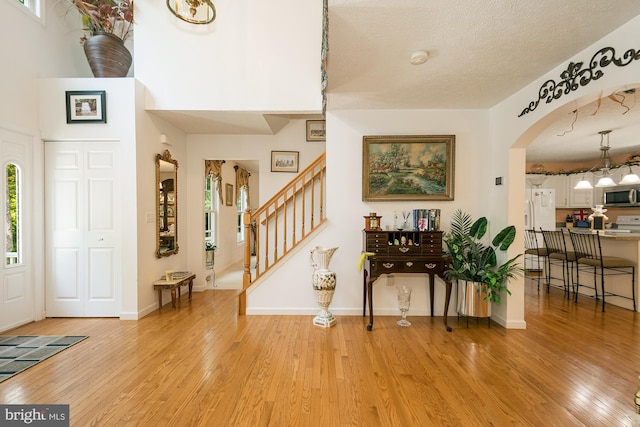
pixel 324 284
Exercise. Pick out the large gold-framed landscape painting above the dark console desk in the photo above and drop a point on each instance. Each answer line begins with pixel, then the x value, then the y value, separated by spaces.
pixel 410 167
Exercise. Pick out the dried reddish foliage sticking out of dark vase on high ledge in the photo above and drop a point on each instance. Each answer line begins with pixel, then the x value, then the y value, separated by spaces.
pixel 105 16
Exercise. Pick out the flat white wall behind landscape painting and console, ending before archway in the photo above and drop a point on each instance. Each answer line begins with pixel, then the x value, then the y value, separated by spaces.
pixel 288 289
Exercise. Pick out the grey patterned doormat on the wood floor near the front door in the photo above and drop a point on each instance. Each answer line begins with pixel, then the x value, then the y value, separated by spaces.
pixel 20 352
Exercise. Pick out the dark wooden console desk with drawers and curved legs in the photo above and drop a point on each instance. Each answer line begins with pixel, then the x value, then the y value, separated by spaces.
pixel 404 252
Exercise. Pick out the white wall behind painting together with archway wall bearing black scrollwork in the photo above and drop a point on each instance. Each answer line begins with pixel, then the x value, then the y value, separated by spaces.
pixel 477 166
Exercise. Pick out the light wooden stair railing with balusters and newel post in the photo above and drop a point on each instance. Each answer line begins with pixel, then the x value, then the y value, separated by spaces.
pixel 282 223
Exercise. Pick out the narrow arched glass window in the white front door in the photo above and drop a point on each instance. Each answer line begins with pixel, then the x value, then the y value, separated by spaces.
pixel 13 215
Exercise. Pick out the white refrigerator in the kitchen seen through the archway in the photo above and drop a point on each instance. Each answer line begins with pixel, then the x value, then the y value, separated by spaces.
pixel 540 212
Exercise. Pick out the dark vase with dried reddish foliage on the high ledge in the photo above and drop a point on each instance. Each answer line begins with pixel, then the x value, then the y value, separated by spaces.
pixel 107 25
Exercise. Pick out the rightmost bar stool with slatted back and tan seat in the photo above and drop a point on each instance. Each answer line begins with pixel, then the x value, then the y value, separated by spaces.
pixel 589 258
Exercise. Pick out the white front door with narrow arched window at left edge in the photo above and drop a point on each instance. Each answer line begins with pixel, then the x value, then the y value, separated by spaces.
pixel 17 305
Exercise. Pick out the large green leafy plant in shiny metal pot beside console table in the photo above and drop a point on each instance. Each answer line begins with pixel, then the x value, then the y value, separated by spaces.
pixel 474 263
